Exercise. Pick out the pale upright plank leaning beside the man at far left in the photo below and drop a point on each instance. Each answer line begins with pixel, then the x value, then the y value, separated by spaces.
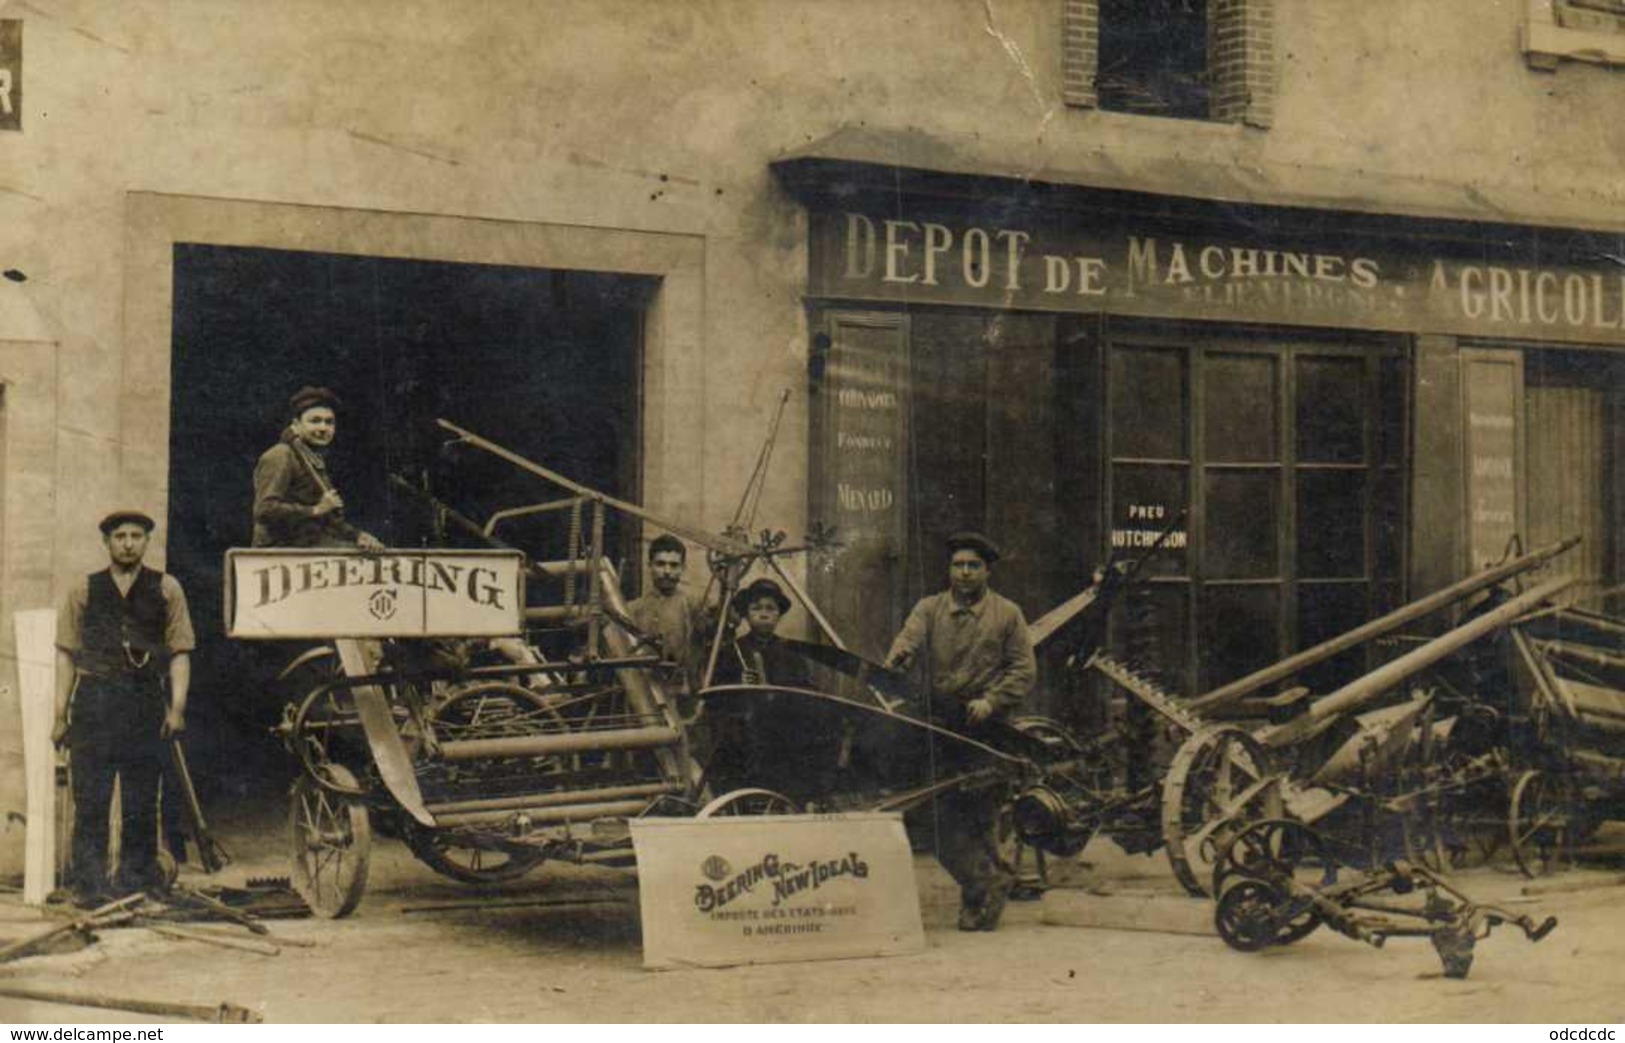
pixel 37 667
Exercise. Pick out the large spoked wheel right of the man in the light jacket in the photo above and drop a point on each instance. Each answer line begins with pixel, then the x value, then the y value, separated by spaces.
pixel 1215 784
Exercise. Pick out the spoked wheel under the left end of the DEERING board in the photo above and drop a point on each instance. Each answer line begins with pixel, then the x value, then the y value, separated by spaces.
pixel 331 841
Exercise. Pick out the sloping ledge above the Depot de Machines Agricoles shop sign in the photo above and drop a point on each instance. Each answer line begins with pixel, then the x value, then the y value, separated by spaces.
pixel 859 162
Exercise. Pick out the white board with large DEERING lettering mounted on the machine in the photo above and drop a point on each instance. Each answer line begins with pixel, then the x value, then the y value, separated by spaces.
pixel 397 594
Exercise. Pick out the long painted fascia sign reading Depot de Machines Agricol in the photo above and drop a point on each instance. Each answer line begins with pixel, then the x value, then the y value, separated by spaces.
pixel 1096 269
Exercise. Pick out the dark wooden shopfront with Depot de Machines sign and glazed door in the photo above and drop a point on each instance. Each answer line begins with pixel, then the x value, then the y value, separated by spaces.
pixel 1319 415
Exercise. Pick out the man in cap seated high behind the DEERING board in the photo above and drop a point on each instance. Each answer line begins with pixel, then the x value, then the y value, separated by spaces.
pixel 295 501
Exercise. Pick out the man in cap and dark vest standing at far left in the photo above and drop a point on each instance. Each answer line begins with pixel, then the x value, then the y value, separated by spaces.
pixel 124 665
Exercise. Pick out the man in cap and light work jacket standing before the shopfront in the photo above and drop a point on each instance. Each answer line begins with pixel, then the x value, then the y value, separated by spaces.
pixel 977 659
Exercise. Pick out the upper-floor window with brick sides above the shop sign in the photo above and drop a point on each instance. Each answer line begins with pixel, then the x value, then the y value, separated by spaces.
pixel 1187 59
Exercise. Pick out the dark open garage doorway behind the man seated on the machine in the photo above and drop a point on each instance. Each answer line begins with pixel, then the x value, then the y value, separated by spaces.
pixel 544 361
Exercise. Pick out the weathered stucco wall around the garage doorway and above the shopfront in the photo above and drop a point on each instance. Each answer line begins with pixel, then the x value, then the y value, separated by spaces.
pixel 662 118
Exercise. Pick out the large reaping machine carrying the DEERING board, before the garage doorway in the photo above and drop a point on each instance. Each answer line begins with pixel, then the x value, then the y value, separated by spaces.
pixel 566 732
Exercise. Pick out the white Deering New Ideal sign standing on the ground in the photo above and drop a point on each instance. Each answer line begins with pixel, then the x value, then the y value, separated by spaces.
pixel 768 889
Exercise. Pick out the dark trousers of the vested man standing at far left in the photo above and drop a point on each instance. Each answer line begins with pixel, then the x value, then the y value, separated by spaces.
pixel 116 737
